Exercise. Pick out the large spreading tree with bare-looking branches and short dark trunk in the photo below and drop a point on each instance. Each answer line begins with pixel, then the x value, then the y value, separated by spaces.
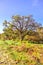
pixel 21 24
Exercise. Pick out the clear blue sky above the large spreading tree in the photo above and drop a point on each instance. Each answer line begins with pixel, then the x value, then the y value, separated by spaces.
pixel 21 7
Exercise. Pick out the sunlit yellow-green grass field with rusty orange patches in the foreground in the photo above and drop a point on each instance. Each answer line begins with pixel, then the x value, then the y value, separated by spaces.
pixel 20 53
